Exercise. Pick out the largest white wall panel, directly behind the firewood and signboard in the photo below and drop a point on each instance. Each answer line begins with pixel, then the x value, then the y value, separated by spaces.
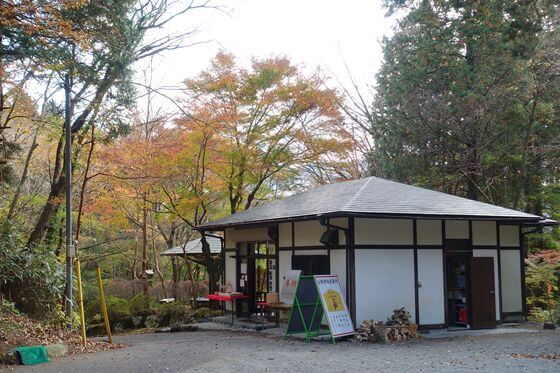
pixel 384 282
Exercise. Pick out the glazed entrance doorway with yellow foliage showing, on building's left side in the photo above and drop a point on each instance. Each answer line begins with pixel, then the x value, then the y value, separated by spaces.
pixel 256 272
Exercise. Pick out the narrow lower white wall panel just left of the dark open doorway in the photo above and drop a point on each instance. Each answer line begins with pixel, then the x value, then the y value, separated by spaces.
pixel 431 304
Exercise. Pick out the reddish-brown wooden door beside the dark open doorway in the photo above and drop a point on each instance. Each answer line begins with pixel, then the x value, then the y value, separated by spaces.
pixel 483 294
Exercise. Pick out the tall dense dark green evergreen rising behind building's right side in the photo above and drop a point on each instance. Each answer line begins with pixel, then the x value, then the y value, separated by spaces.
pixel 467 99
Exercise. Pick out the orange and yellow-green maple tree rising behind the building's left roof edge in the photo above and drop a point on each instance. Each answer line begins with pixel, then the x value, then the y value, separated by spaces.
pixel 268 122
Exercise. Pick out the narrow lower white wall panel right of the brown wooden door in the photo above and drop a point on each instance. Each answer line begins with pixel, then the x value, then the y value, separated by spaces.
pixel 511 281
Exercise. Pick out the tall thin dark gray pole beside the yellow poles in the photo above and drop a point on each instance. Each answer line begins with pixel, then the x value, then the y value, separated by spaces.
pixel 70 251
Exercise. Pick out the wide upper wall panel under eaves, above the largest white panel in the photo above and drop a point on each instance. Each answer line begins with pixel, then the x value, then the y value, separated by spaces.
pixel 383 231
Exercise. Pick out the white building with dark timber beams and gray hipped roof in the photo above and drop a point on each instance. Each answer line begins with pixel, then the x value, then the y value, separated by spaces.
pixel 452 262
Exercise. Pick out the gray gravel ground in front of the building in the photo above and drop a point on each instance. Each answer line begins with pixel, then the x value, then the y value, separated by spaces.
pixel 241 351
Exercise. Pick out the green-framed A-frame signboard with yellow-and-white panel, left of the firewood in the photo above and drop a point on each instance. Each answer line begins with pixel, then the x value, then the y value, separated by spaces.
pixel 315 297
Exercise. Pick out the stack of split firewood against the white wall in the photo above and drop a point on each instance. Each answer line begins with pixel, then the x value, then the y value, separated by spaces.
pixel 398 327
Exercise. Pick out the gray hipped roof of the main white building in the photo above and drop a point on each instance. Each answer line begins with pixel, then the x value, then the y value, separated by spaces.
pixel 370 196
